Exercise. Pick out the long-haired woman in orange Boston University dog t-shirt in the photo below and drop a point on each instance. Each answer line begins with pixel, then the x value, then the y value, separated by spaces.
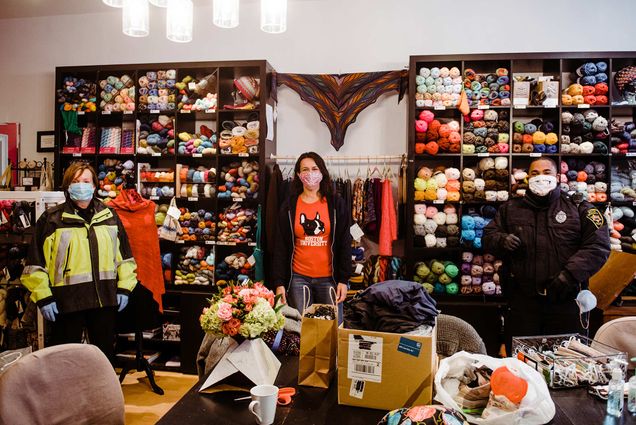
pixel 313 245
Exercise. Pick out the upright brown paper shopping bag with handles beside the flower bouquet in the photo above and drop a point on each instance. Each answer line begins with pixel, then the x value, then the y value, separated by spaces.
pixel 318 345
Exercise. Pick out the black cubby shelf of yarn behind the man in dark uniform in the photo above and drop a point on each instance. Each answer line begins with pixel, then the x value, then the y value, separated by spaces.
pixel 541 92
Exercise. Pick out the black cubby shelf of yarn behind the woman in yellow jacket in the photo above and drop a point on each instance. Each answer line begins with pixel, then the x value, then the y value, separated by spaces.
pixel 190 105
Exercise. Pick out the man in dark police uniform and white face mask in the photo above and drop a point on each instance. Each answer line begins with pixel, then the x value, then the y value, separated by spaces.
pixel 551 245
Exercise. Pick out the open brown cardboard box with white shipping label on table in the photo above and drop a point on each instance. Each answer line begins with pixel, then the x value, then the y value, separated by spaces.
pixel 385 370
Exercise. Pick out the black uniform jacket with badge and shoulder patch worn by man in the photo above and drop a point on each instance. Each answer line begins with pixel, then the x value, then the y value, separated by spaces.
pixel 559 235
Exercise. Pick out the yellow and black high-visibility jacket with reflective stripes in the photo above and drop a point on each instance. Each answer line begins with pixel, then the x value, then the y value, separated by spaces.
pixel 77 264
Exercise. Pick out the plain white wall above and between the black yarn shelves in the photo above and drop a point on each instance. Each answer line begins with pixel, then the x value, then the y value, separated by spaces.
pixel 324 36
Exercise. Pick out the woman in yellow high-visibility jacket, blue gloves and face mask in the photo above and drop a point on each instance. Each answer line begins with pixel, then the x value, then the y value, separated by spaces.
pixel 80 269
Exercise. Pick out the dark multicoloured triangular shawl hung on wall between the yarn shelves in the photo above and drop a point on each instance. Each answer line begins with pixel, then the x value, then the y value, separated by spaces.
pixel 339 98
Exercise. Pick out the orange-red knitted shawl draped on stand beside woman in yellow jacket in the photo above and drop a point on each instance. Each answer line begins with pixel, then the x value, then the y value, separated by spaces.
pixel 138 217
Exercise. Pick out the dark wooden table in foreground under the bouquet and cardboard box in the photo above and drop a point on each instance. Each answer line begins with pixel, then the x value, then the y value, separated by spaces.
pixel 320 406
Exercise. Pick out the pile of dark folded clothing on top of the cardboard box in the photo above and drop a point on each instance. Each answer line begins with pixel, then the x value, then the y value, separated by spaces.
pixel 392 306
